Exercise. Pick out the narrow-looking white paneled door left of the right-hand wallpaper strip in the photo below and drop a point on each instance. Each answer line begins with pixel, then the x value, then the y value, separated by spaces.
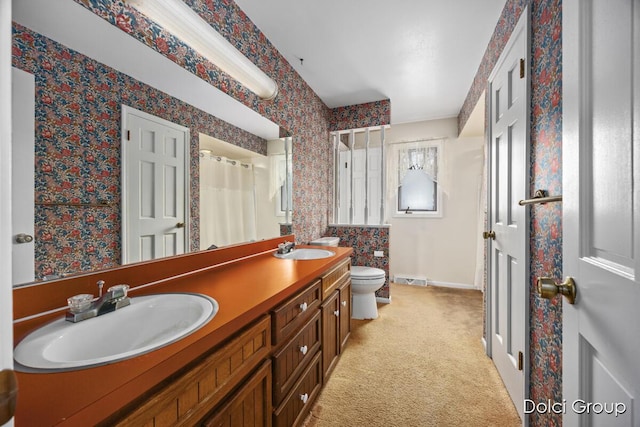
pixel 508 259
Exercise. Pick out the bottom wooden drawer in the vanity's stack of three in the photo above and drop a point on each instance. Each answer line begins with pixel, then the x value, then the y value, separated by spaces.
pixel 298 402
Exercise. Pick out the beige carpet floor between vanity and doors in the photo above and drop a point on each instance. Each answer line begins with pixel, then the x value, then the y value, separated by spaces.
pixel 421 363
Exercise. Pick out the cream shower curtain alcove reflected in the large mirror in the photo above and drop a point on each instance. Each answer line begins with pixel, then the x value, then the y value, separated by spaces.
pixel 241 192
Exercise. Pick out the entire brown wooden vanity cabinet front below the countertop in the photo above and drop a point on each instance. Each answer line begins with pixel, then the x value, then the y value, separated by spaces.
pixel 270 373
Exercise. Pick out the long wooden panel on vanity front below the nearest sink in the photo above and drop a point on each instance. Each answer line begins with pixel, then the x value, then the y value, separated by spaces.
pixel 184 399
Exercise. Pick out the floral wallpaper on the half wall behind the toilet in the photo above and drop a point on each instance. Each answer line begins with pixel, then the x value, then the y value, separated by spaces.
pixel 364 240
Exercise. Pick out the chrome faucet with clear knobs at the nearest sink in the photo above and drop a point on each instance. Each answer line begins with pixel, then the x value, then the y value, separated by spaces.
pixel 86 308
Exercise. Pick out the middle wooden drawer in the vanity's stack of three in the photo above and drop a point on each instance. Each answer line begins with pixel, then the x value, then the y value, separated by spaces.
pixel 290 361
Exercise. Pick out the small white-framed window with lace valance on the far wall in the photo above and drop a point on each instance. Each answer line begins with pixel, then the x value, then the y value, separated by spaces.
pixel 417 169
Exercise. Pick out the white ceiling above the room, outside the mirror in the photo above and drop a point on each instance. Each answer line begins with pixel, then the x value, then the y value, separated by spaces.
pixel 421 54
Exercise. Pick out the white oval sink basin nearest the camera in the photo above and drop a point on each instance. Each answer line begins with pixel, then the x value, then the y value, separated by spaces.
pixel 148 323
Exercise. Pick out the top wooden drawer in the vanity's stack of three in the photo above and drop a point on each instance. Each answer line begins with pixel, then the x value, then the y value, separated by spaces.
pixel 291 315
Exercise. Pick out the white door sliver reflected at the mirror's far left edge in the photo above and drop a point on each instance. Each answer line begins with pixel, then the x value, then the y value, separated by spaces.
pixel 22 181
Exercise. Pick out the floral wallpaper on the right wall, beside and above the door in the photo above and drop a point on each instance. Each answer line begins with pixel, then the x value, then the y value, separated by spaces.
pixel 546 173
